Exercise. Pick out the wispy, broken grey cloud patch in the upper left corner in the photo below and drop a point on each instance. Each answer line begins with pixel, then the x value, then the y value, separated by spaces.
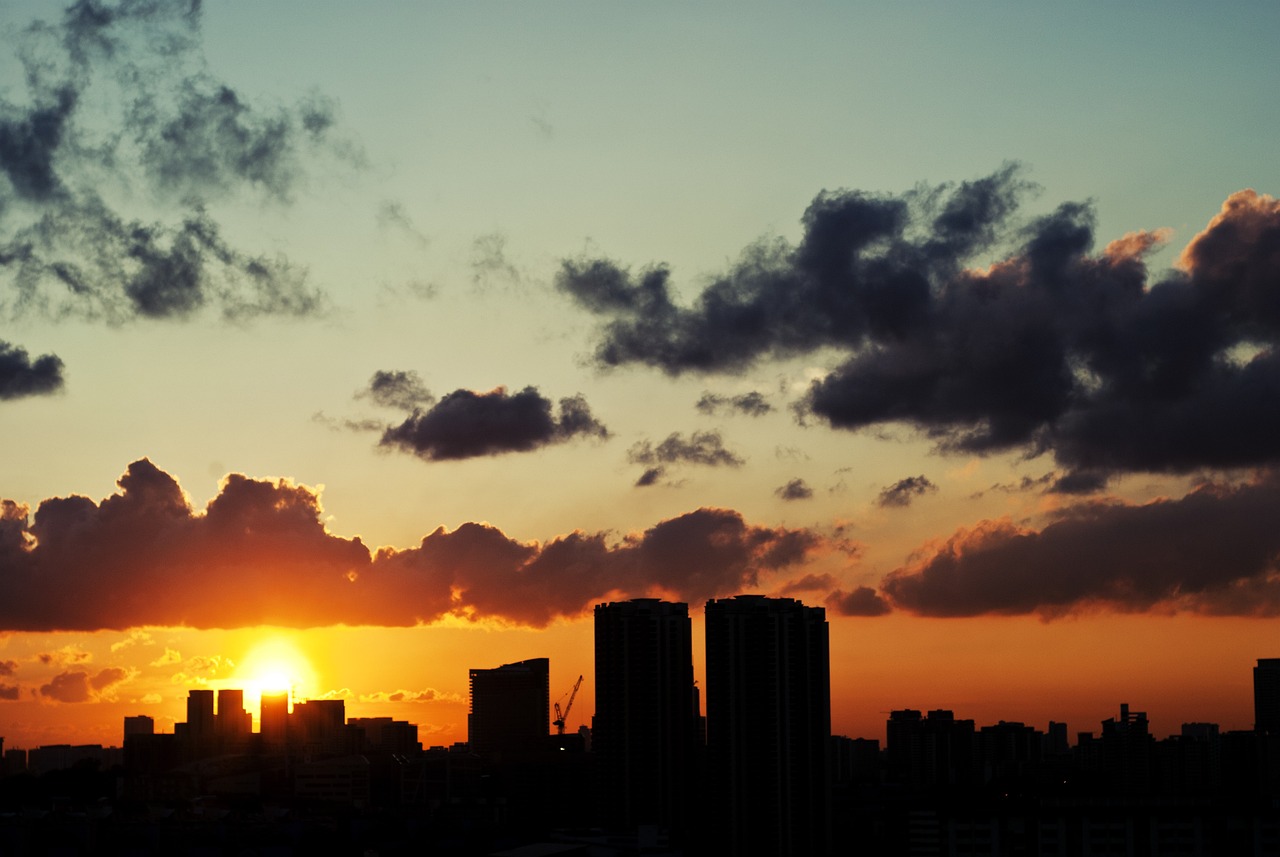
pixel 118 104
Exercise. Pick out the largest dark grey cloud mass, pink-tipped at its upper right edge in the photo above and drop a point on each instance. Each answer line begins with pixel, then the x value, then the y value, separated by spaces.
pixel 1054 349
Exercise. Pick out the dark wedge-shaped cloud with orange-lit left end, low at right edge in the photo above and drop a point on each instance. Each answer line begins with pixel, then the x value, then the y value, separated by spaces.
pixel 1215 551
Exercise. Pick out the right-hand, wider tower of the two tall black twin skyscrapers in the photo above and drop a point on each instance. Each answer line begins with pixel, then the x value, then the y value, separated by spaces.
pixel 769 723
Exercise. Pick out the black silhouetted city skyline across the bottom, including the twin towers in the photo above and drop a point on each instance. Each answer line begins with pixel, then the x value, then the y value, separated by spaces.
pixel 758 774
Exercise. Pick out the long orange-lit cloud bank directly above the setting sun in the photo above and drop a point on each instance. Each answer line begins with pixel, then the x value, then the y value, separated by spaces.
pixel 260 554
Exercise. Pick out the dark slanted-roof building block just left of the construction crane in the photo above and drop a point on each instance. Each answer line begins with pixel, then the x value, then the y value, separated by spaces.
pixel 510 708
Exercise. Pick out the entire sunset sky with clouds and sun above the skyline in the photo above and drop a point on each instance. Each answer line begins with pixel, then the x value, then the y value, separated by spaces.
pixel 358 350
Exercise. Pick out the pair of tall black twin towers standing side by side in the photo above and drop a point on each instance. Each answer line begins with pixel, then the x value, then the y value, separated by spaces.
pixel 755 780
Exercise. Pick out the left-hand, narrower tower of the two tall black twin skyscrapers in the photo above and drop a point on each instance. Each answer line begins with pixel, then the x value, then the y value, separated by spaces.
pixel 644 735
